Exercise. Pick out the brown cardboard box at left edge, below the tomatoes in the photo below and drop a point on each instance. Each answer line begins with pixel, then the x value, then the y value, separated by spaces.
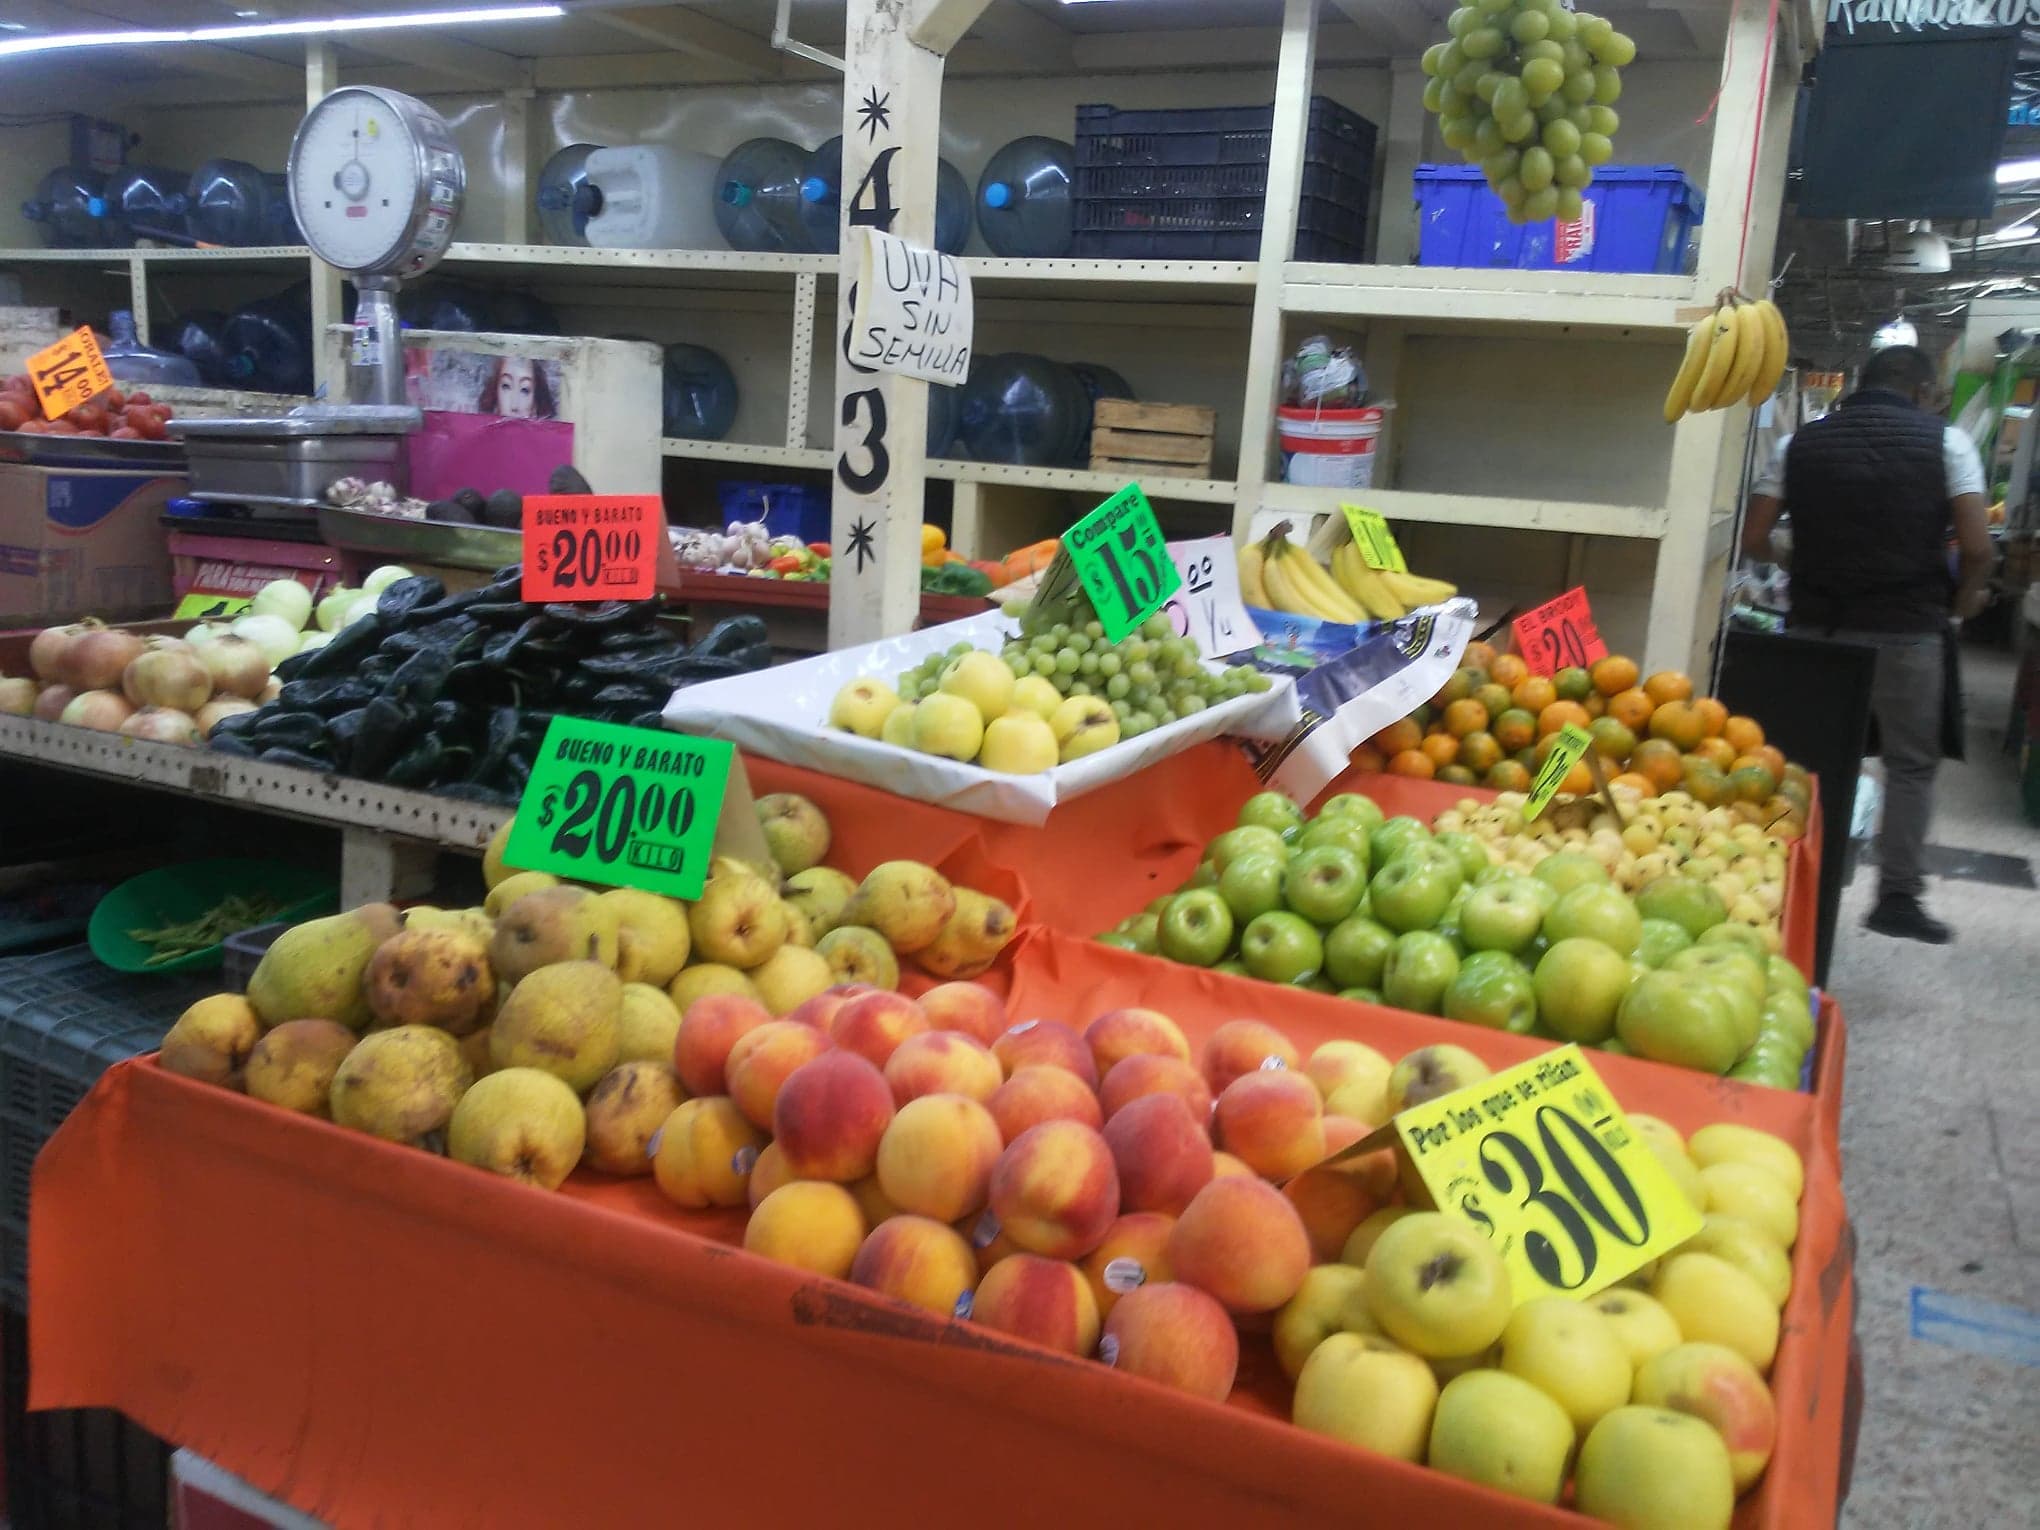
pixel 81 542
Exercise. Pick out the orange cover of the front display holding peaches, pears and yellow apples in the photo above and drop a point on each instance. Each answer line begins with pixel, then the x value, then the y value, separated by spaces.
pixel 380 1337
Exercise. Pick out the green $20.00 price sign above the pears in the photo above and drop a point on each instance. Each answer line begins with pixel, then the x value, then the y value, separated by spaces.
pixel 623 807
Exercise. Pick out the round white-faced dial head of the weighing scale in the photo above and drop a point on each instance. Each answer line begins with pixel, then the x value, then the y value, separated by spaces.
pixel 376 183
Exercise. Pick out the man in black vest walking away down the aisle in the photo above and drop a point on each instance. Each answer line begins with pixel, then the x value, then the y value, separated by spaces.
pixel 1876 491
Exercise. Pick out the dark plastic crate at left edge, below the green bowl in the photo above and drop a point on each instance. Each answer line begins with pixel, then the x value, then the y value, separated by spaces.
pixel 64 1021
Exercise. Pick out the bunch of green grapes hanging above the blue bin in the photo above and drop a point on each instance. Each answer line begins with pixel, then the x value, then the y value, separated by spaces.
pixel 1527 91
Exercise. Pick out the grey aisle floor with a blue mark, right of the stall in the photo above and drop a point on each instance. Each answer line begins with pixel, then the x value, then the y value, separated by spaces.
pixel 1943 1166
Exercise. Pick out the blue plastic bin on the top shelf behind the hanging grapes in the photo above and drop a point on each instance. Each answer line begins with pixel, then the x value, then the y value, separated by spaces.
pixel 1645 219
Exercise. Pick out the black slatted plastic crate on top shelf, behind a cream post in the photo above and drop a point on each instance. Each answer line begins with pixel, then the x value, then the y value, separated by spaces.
pixel 1192 183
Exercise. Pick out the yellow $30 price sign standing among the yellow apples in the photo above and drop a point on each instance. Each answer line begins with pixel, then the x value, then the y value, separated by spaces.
pixel 1543 1162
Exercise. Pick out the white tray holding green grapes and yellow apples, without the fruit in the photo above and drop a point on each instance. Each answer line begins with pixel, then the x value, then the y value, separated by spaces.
pixel 780 715
